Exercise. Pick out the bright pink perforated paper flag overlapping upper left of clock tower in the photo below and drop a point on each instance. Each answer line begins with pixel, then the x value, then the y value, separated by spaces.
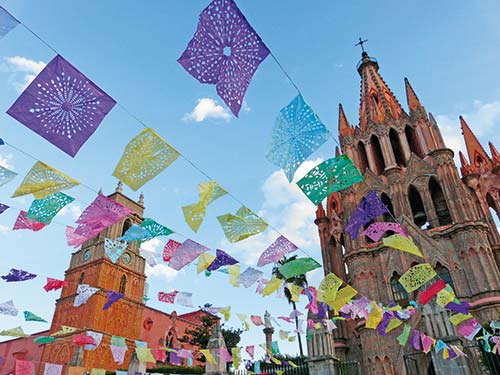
pixel 103 211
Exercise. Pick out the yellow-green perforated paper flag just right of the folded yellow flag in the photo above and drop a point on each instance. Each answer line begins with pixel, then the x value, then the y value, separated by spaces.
pixel 242 225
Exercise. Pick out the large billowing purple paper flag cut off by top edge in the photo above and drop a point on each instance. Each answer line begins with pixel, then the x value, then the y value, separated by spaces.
pixel 225 51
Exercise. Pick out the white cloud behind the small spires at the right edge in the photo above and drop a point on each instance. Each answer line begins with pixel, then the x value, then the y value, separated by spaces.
pixel 483 119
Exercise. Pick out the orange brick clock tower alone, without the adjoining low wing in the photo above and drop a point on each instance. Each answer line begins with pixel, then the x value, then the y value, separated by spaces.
pixel 89 265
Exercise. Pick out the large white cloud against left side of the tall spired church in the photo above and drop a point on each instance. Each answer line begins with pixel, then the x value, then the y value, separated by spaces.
pixel 288 209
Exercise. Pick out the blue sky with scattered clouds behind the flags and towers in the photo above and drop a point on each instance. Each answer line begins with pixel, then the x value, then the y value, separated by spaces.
pixel 447 49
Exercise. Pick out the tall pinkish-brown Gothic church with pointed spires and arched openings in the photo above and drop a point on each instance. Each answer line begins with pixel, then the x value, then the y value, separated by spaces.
pixel 403 157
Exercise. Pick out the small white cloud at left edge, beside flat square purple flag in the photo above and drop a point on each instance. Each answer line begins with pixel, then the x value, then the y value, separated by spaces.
pixel 24 70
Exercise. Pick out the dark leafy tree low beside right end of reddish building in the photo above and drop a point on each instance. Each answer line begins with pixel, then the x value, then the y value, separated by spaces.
pixel 200 335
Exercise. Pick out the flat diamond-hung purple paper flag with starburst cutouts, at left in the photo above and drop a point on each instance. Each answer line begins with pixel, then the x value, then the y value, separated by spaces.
pixel 62 105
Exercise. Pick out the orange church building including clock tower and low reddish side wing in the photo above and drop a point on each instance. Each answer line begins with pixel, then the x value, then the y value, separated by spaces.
pixel 129 317
